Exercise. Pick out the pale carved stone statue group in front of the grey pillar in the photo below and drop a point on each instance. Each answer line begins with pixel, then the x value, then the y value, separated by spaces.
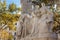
pixel 37 26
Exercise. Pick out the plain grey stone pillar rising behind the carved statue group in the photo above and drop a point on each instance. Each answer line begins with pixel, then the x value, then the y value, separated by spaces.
pixel 26 6
